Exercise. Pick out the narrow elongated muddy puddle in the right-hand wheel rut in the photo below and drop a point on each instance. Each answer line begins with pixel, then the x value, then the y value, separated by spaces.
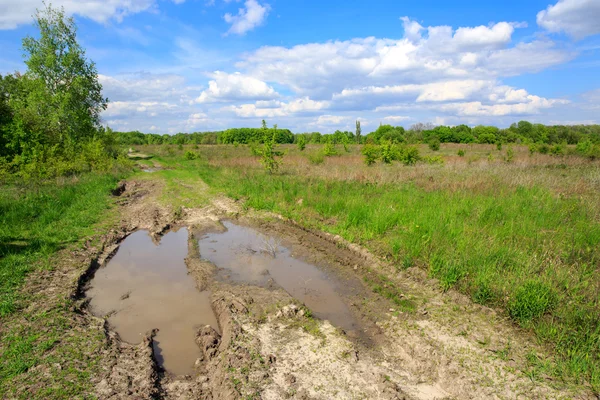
pixel 245 256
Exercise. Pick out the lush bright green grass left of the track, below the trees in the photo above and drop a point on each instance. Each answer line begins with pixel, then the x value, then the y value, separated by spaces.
pixel 36 222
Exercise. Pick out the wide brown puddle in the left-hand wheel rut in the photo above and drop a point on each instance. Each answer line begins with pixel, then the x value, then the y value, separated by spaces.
pixel 146 286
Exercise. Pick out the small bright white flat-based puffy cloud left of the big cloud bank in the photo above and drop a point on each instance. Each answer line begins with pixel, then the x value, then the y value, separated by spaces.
pixel 226 87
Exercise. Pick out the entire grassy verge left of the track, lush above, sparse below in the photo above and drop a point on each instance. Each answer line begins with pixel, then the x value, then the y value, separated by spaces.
pixel 42 353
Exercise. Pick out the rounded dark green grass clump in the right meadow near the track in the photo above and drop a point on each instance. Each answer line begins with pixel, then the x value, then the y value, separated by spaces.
pixel 531 301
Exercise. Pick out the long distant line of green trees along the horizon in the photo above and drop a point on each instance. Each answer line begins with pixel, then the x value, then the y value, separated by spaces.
pixel 522 132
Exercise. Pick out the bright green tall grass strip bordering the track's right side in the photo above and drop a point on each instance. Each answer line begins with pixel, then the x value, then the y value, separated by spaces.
pixel 522 249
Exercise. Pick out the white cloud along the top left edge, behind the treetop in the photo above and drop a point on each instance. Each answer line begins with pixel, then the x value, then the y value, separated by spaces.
pixel 17 12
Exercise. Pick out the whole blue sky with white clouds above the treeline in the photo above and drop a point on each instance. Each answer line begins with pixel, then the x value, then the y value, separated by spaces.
pixel 171 66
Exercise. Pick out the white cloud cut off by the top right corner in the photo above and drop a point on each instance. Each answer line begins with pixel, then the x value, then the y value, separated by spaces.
pixel 578 18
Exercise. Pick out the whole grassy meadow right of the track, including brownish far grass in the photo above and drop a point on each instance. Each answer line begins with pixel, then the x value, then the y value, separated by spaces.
pixel 523 236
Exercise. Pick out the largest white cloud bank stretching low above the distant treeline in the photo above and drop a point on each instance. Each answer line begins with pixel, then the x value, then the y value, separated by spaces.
pixel 453 74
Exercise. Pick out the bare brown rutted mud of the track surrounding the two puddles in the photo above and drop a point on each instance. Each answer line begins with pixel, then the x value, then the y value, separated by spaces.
pixel 267 345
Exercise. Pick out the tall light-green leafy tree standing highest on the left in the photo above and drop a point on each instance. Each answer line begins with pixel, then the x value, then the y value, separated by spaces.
pixel 63 98
